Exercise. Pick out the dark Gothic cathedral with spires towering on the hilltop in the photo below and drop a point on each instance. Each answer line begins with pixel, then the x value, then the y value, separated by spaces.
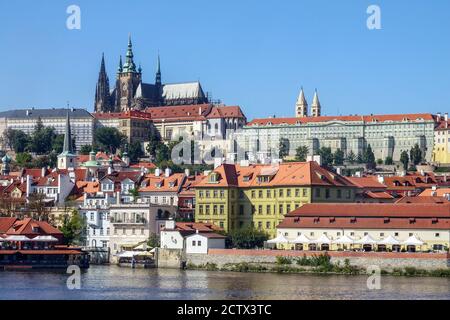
pixel 130 93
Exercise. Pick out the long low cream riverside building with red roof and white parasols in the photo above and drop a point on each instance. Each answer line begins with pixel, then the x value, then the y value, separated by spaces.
pixel 374 226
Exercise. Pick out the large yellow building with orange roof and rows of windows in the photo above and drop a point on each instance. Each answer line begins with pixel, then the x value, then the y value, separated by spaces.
pixel 234 197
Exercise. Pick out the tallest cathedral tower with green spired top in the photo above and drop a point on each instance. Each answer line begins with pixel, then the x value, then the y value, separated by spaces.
pixel 128 80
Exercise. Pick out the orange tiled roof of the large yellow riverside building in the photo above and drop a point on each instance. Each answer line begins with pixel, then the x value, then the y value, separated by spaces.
pixel 285 174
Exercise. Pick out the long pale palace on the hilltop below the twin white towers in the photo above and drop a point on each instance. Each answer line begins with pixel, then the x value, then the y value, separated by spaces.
pixel 388 135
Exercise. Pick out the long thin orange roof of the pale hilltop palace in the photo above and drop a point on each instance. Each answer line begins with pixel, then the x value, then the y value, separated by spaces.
pixel 364 119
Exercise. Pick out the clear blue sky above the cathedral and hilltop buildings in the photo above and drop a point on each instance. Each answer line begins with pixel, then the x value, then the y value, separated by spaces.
pixel 256 54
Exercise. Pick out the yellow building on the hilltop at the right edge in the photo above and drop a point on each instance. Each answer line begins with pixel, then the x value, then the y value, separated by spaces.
pixel 441 149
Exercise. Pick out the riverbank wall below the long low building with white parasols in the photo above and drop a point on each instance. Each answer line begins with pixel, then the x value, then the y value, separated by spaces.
pixel 384 260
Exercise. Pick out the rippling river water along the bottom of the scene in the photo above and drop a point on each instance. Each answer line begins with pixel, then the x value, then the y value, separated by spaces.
pixel 112 282
